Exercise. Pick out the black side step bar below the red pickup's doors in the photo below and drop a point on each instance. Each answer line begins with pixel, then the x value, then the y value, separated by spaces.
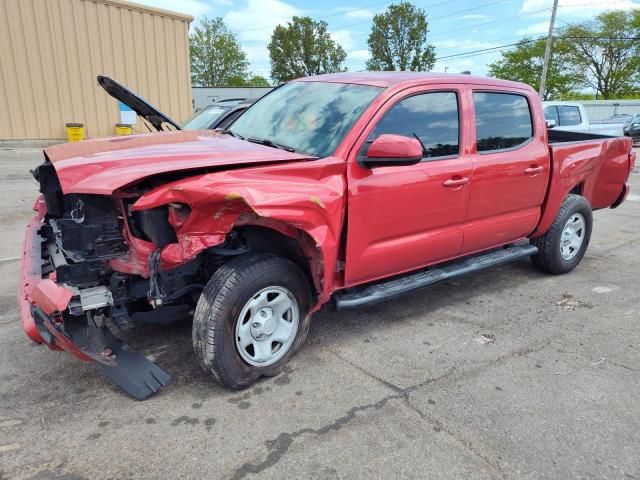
pixel 386 289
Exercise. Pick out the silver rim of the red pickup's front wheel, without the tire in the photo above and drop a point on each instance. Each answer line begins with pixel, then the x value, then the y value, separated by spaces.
pixel 267 326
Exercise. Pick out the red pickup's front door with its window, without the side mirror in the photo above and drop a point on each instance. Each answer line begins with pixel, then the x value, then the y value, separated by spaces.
pixel 405 217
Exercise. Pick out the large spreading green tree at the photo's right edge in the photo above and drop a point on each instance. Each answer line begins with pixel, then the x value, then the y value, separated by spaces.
pixel 608 50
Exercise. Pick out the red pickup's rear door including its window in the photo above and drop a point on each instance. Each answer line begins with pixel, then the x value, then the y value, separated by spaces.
pixel 511 167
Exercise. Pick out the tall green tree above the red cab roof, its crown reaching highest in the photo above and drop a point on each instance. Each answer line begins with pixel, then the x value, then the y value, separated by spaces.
pixel 398 40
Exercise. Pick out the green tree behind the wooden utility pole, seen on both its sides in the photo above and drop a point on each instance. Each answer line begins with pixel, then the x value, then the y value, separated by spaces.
pixel 524 64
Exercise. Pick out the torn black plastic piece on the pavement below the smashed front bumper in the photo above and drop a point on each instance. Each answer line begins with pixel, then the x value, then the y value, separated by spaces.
pixel 134 373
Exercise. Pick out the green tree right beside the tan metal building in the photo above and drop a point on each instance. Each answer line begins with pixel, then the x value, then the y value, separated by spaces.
pixel 216 55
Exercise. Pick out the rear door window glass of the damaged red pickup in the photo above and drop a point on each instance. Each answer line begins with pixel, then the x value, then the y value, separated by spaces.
pixel 503 121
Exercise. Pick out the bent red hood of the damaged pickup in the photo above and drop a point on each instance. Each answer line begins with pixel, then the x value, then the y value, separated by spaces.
pixel 104 165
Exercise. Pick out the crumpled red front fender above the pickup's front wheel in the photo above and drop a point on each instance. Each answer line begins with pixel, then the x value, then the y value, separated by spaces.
pixel 308 196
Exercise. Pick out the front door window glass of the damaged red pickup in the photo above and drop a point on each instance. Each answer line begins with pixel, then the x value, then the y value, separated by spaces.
pixel 431 117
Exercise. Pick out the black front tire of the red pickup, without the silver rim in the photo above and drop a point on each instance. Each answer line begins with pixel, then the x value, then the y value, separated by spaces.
pixel 219 308
